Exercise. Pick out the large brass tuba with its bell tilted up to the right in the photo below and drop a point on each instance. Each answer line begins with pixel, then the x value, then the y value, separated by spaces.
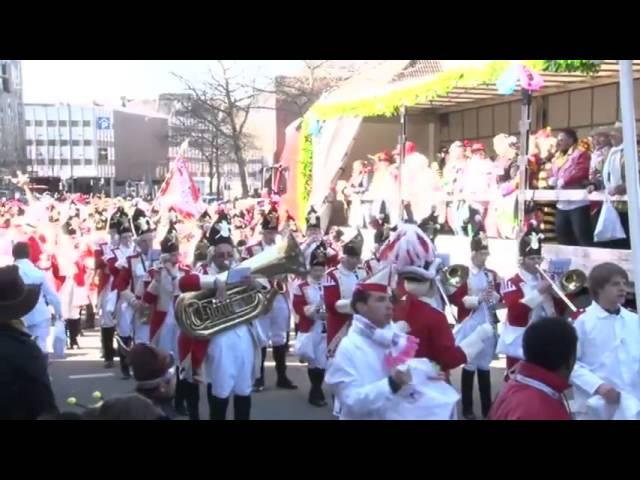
pixel 202 315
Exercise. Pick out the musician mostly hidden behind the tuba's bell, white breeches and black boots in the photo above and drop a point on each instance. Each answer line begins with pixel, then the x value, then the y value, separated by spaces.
pixel 274 325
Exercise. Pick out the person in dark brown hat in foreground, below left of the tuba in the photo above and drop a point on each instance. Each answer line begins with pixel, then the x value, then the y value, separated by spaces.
pixel 153 370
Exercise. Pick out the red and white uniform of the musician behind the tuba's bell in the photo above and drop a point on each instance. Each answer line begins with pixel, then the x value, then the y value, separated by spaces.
pixel 274 325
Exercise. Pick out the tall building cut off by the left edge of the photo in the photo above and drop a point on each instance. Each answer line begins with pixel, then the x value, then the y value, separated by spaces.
pixel 12 140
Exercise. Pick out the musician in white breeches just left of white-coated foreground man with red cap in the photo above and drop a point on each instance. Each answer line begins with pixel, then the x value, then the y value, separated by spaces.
pixel 308 303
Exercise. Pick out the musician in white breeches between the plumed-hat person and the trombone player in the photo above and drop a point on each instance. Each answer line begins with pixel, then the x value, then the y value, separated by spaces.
pixel 475 300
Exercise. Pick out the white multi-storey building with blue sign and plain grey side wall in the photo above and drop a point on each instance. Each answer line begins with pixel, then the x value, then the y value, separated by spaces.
pixel 93 146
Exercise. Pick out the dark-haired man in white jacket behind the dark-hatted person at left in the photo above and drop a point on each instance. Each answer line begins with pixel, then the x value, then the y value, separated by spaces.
pixel 38 320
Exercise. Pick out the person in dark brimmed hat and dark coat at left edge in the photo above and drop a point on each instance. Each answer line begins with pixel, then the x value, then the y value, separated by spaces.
pixel 25 388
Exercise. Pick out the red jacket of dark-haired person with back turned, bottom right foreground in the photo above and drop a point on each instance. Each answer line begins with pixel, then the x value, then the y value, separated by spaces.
pixel 520 401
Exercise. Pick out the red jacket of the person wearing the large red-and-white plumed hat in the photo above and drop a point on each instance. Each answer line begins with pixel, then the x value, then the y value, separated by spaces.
pixel 430 325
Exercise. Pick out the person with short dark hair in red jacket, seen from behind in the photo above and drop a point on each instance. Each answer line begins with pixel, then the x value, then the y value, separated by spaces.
pixel 536 392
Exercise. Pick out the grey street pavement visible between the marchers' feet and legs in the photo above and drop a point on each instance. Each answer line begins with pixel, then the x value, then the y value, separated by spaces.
pixel 82 372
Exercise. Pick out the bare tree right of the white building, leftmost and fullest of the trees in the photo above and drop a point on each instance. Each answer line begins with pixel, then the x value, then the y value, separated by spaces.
pixel 220 108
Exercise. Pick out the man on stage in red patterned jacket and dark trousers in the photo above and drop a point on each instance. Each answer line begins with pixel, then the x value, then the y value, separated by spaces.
pixel 570 170
